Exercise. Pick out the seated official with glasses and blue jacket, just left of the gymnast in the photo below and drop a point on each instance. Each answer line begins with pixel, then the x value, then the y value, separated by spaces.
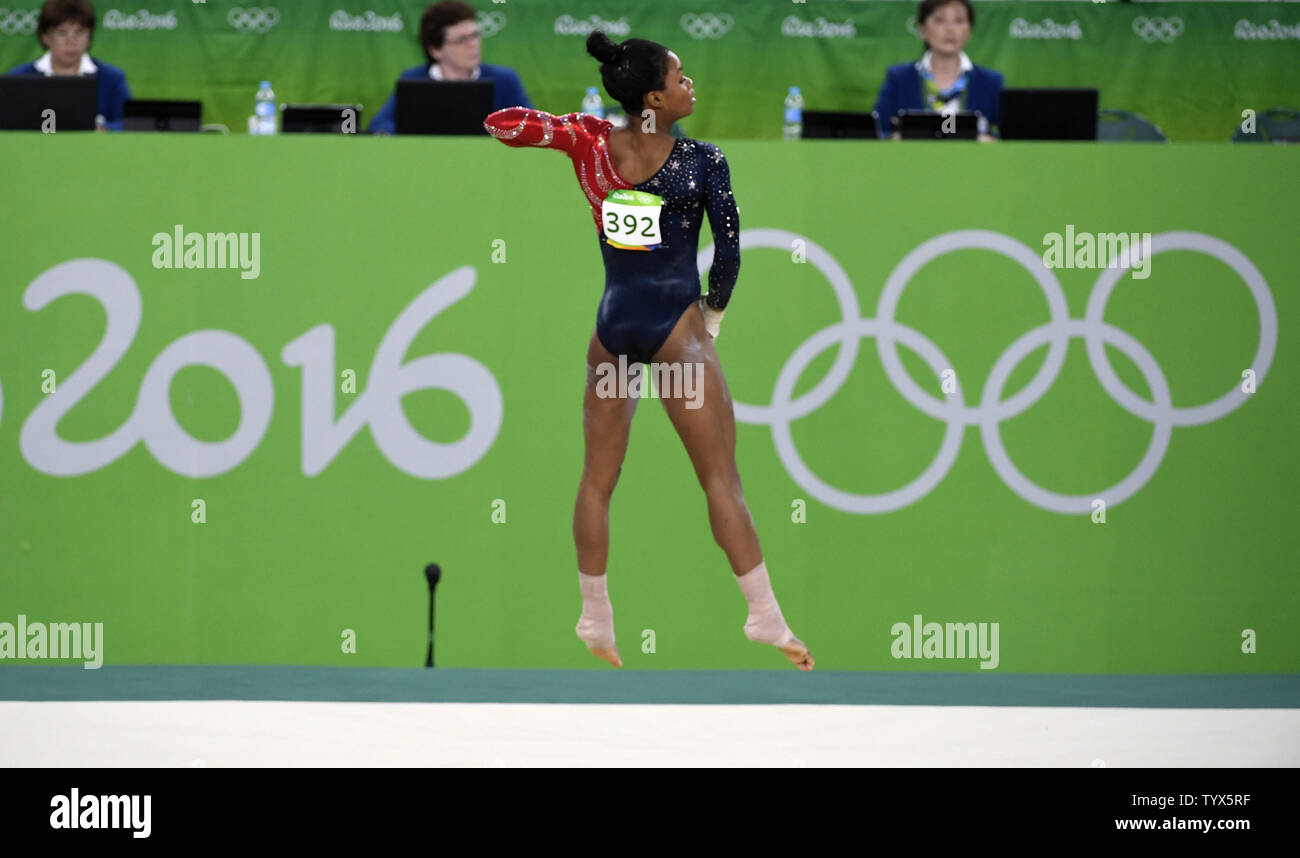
pixel 454 42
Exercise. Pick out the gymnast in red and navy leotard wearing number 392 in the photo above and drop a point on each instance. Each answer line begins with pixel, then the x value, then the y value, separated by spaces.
pixel 648 193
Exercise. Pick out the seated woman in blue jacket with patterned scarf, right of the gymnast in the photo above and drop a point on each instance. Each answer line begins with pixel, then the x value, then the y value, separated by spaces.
pixel 944 79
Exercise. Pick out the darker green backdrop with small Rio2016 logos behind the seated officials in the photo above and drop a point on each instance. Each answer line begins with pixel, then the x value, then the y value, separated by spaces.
pixel 1191 68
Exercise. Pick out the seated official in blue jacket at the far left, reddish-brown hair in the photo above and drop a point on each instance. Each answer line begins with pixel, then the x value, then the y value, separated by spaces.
pixel 66 29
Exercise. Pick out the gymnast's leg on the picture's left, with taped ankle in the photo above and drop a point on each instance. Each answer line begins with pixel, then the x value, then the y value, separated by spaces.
pixel 606 427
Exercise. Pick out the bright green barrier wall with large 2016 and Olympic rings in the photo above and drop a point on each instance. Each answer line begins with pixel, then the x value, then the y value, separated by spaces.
pixel 244 405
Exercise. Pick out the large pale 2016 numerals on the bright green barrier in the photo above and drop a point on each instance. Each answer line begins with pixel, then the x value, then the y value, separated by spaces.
pixel 153 422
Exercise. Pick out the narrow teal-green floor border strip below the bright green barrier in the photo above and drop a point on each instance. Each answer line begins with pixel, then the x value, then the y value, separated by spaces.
pixel 447 686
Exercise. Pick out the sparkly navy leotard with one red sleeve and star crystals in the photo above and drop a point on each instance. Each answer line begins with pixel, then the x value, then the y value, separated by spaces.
pixel 645 293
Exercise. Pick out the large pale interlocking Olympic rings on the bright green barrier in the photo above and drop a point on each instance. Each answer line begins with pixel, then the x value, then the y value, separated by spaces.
pixel 993 409
